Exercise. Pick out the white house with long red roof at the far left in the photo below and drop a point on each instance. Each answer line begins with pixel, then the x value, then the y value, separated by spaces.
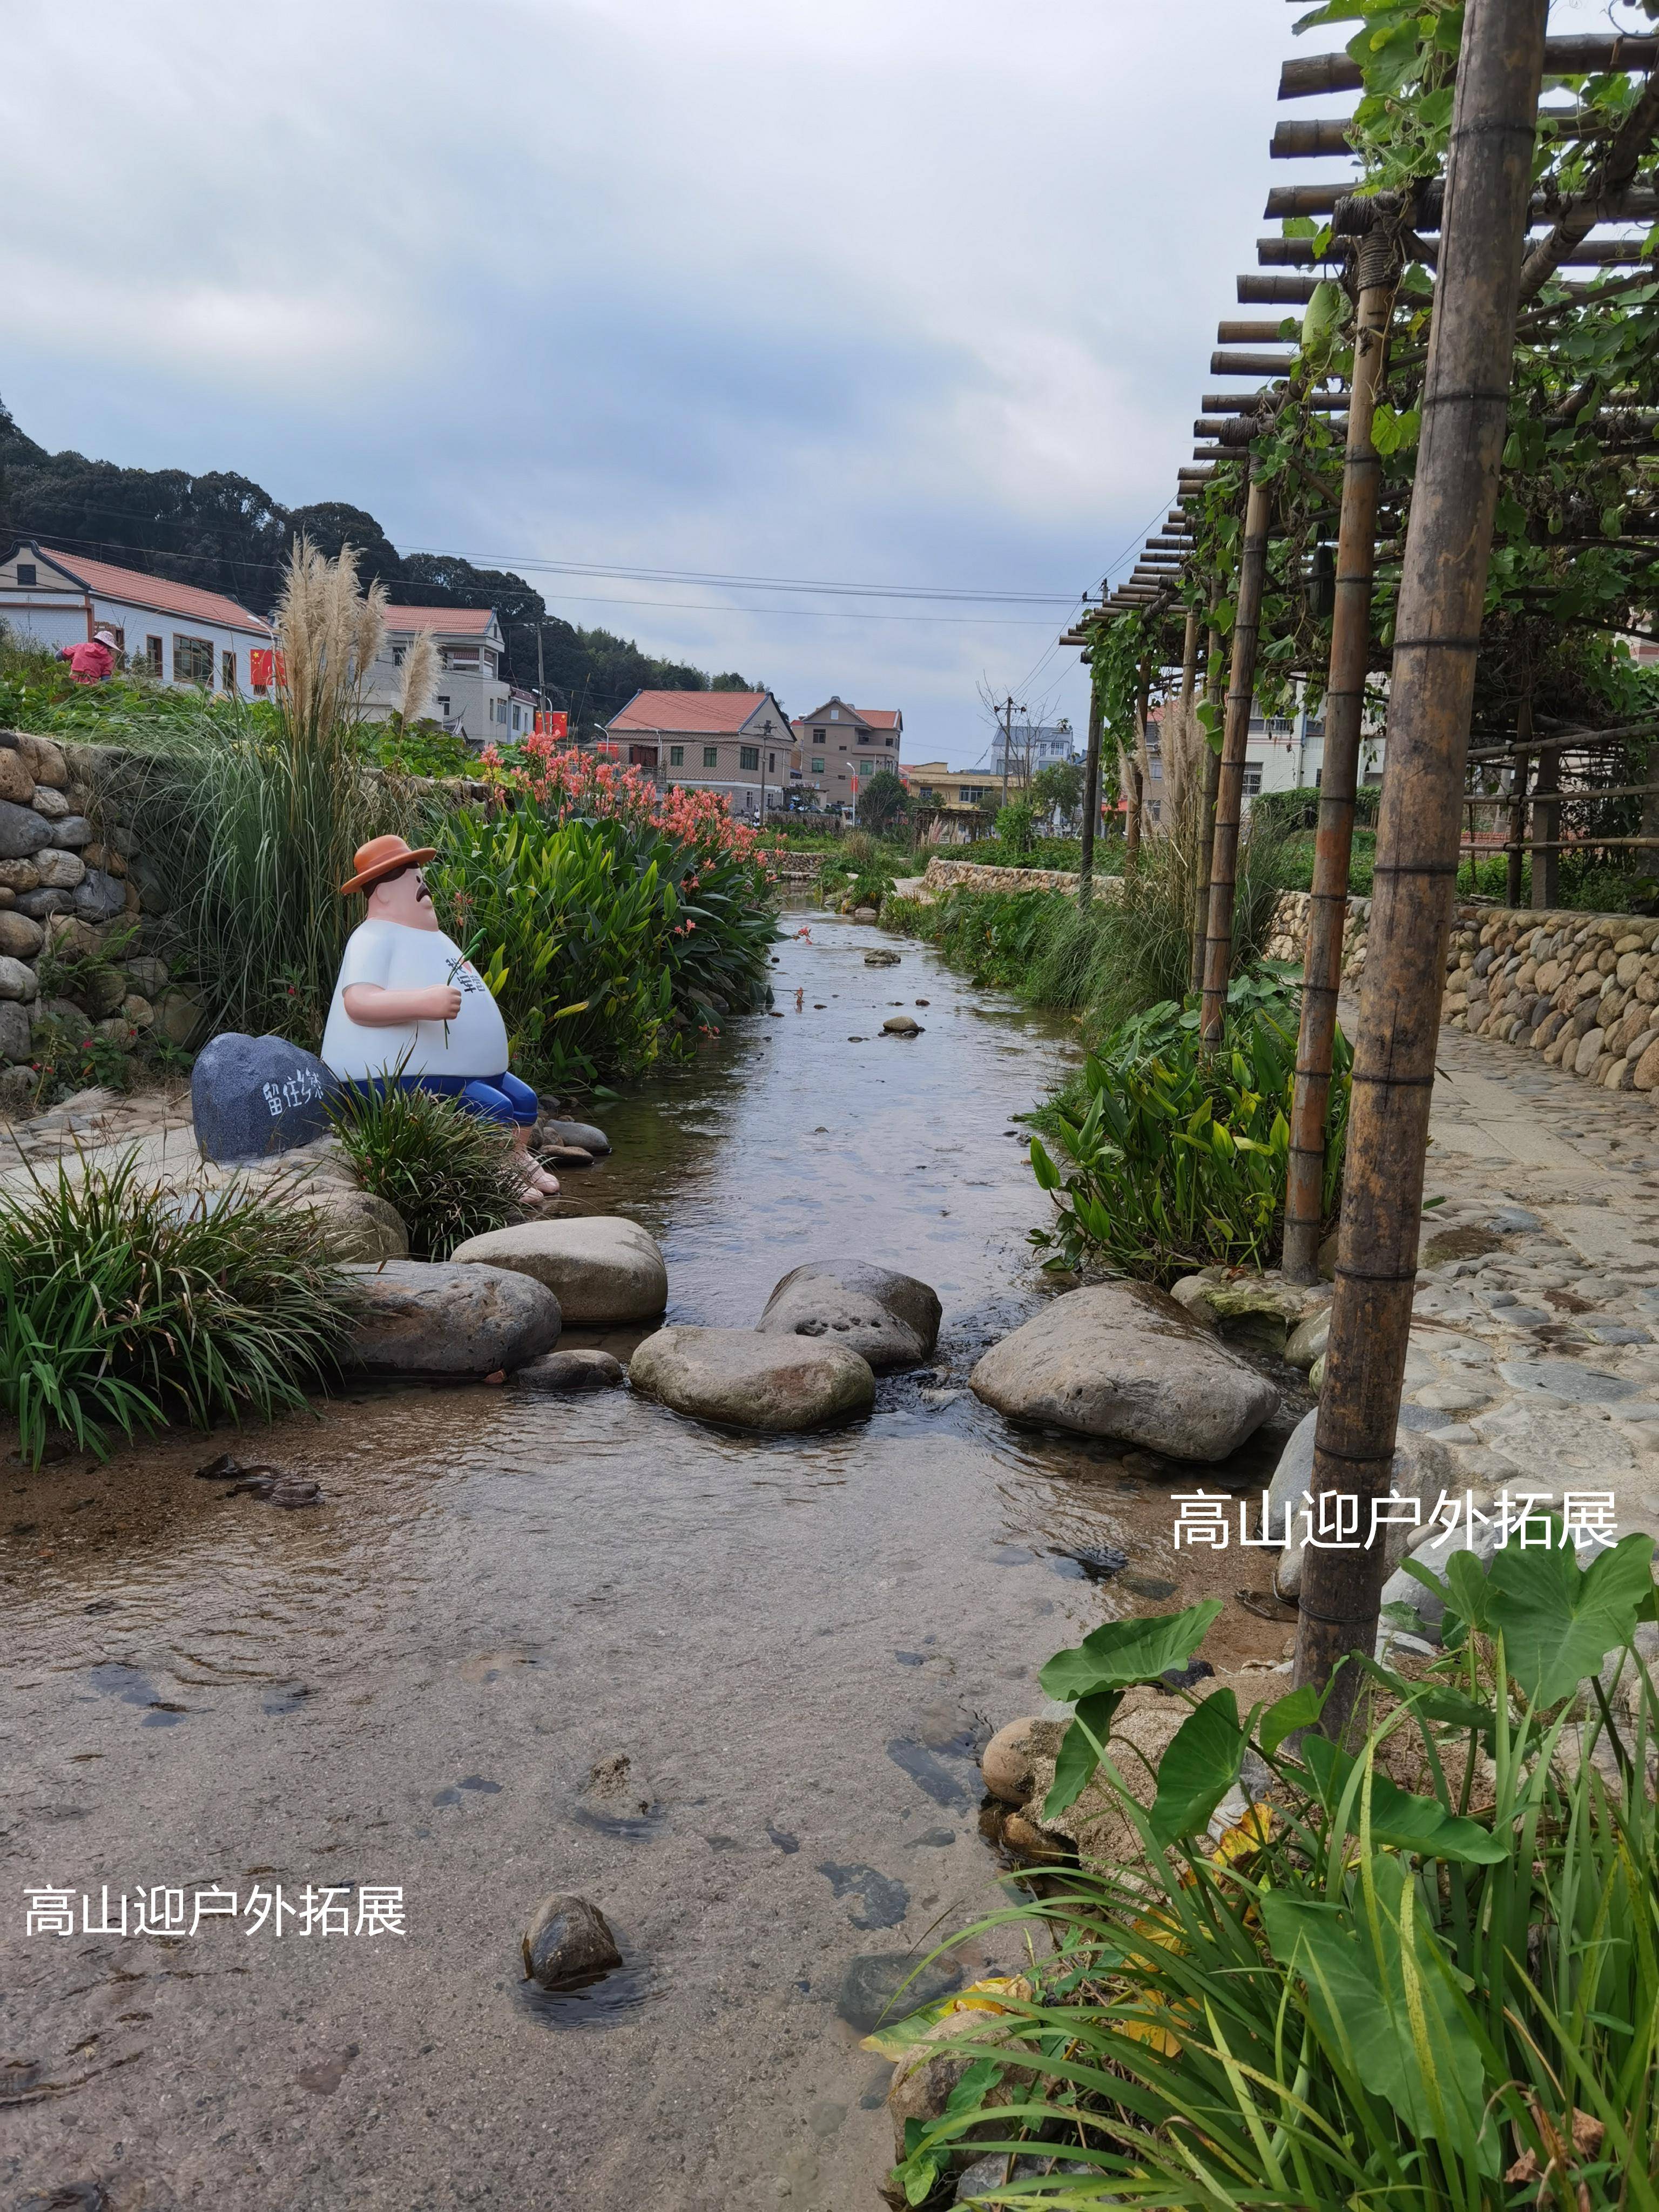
pixel 174 632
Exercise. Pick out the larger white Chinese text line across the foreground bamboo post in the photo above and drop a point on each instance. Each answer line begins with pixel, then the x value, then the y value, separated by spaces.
pixel 1342 1521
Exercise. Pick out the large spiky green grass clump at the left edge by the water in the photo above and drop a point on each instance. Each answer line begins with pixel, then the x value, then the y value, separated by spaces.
pixel 127 1306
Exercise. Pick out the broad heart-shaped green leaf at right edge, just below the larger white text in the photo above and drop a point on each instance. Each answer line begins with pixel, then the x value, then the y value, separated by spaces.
pixel 1558 1620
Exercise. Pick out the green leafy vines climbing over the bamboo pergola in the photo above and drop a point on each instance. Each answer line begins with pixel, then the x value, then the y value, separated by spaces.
pixel 1576 559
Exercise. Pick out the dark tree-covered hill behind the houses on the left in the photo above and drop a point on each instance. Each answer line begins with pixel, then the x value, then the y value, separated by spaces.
pixel 227 534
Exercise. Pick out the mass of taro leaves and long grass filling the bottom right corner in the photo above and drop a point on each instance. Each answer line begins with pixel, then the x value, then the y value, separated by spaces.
pixel 1412 1976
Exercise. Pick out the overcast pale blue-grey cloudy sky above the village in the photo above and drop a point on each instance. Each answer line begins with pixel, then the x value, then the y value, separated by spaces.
pixel 857 291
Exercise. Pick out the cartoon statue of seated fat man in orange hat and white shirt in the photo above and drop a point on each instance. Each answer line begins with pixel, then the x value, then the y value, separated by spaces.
pixel 413 1010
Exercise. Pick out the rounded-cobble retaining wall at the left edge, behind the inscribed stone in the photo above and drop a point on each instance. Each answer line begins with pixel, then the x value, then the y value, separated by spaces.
pixel 74 888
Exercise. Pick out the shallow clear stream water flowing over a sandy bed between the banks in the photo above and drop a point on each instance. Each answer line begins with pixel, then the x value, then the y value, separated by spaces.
pixel 797 1645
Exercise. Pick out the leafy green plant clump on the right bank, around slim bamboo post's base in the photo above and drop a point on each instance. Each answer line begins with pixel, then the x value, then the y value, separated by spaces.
pixel 1176 1158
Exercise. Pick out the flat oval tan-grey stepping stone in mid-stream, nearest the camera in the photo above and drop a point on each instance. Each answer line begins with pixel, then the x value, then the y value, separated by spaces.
pixel 753 1381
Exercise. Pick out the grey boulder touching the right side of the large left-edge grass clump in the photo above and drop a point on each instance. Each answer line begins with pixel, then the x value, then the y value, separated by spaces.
pixel 435 1319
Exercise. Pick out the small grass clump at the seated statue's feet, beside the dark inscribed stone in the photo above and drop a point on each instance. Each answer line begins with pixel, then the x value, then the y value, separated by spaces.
pixel 448 1173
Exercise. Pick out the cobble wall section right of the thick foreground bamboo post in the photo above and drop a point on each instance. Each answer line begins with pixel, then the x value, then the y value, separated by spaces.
pixel 1583 990
